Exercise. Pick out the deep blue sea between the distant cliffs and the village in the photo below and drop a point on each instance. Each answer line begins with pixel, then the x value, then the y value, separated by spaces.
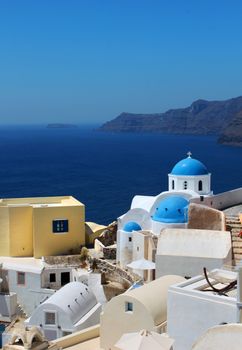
pixel 104 170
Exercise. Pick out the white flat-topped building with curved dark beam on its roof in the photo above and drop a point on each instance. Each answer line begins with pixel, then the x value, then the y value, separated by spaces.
pixel 194 306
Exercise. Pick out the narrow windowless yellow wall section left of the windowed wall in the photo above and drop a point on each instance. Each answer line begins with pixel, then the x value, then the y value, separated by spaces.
pixel 21 228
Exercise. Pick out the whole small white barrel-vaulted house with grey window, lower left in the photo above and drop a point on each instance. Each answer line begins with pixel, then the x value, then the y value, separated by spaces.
pixel 72 308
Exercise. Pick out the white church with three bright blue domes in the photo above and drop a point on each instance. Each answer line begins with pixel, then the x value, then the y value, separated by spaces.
pixel 188 181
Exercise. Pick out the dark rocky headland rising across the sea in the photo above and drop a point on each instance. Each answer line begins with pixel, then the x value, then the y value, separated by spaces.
pixel 201 118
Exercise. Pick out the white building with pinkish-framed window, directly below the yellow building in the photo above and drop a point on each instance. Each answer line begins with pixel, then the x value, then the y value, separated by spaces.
pixel 33 282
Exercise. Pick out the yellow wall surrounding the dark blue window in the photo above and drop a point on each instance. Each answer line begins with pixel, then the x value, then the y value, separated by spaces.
pixel 46 242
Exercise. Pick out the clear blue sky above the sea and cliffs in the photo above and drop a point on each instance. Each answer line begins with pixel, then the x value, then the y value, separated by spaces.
pixel 89 60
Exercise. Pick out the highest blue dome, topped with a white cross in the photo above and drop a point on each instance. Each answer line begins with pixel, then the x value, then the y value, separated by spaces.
pixel 189 166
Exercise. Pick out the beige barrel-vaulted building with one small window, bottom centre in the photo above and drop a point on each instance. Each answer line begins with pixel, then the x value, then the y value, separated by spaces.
pixel 140 308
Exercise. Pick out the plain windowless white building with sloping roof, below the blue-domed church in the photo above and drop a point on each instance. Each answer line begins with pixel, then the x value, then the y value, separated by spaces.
pixel 185 252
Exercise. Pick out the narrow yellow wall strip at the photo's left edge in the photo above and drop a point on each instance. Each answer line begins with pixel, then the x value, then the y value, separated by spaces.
pixel 4 232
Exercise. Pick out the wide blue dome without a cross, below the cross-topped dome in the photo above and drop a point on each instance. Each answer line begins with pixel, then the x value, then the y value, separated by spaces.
pixel 172 209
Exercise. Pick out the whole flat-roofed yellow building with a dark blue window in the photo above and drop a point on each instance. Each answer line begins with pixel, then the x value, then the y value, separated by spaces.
pixel 41 226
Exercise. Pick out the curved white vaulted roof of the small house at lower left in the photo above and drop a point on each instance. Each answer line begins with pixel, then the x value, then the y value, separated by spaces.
pixel 75 299
